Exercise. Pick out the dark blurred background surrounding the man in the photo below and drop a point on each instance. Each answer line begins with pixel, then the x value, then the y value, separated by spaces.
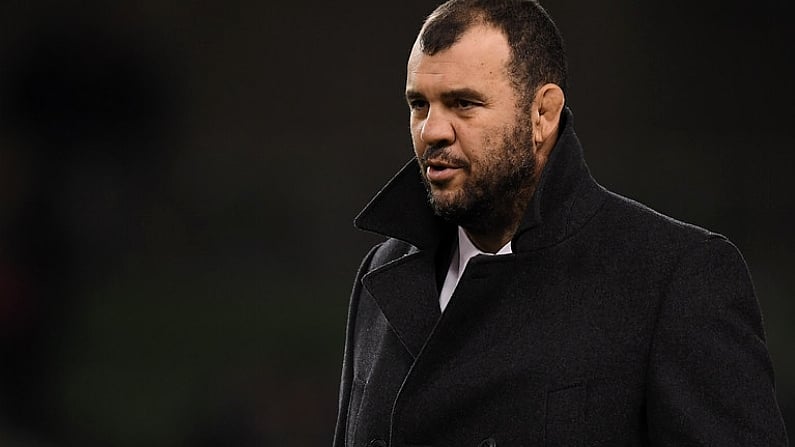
pixel 178 181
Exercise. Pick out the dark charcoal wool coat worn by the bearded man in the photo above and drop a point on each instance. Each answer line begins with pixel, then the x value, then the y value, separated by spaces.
pixel 609 325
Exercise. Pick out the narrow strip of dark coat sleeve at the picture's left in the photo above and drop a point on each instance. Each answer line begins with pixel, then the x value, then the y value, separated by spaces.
pixel 346 380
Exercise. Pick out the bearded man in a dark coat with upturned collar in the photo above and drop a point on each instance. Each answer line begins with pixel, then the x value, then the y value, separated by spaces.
pixel 515 301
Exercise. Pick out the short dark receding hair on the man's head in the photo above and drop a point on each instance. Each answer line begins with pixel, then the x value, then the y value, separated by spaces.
pixel 538 54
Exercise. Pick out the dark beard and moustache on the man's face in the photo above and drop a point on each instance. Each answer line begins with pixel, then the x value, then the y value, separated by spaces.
pixel 498 187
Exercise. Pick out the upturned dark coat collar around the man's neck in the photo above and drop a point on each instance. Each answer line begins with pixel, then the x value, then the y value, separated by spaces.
pixel 566 197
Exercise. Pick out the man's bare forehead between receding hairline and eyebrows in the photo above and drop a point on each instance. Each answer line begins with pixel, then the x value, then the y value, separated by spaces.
pixel 480 56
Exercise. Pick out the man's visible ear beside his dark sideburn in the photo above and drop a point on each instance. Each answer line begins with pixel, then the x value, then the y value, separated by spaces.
pixel 547 107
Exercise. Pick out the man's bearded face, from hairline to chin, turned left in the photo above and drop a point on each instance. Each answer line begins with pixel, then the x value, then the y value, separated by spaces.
pixel 470 132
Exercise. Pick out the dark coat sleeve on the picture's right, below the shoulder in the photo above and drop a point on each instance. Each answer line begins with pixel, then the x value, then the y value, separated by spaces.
pixel 710 375
